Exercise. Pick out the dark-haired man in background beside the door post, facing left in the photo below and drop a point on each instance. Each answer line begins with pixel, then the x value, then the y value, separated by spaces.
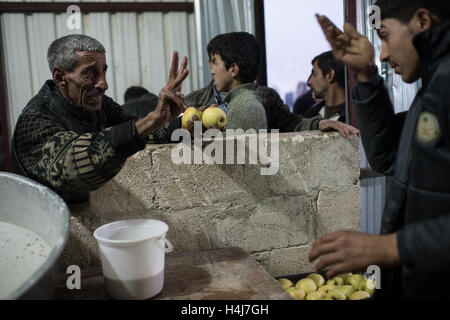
pixel 327 81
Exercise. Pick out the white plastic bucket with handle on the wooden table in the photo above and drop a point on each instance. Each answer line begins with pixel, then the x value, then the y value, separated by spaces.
pixel 132 253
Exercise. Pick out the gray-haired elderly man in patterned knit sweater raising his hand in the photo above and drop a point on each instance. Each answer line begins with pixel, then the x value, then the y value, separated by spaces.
pixel 71 137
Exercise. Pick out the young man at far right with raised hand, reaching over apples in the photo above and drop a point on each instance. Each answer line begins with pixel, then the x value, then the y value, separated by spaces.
pixel 413 249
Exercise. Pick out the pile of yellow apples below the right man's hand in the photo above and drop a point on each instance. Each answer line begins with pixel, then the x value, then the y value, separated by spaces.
pixel 345 286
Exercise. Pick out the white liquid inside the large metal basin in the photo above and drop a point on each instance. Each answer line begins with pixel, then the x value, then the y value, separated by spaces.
pixel 22 252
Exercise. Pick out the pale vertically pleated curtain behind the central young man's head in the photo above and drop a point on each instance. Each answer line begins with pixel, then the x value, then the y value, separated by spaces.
pixel 214 17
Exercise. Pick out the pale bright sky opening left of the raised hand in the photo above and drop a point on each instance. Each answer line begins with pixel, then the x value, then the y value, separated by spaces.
pixel 293 39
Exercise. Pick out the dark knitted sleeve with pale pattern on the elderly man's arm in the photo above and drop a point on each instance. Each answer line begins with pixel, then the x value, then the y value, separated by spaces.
pixel 68 162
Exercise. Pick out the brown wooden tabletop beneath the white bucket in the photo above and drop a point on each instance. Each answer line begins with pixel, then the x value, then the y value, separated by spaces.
pixel 226 274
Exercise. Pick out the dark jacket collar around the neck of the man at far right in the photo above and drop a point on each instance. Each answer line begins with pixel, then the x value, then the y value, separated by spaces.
pixel 432 45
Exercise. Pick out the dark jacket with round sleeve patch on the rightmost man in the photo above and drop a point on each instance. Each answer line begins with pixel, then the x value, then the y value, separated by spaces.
pixel 414 148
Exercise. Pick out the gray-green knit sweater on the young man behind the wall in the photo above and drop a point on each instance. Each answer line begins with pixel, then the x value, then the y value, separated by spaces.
pixel 244 110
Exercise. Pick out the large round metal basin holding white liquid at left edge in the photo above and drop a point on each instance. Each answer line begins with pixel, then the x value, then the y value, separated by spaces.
pixel 34 225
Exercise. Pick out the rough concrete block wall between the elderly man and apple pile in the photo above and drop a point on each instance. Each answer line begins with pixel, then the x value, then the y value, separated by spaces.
pixel 275 218
